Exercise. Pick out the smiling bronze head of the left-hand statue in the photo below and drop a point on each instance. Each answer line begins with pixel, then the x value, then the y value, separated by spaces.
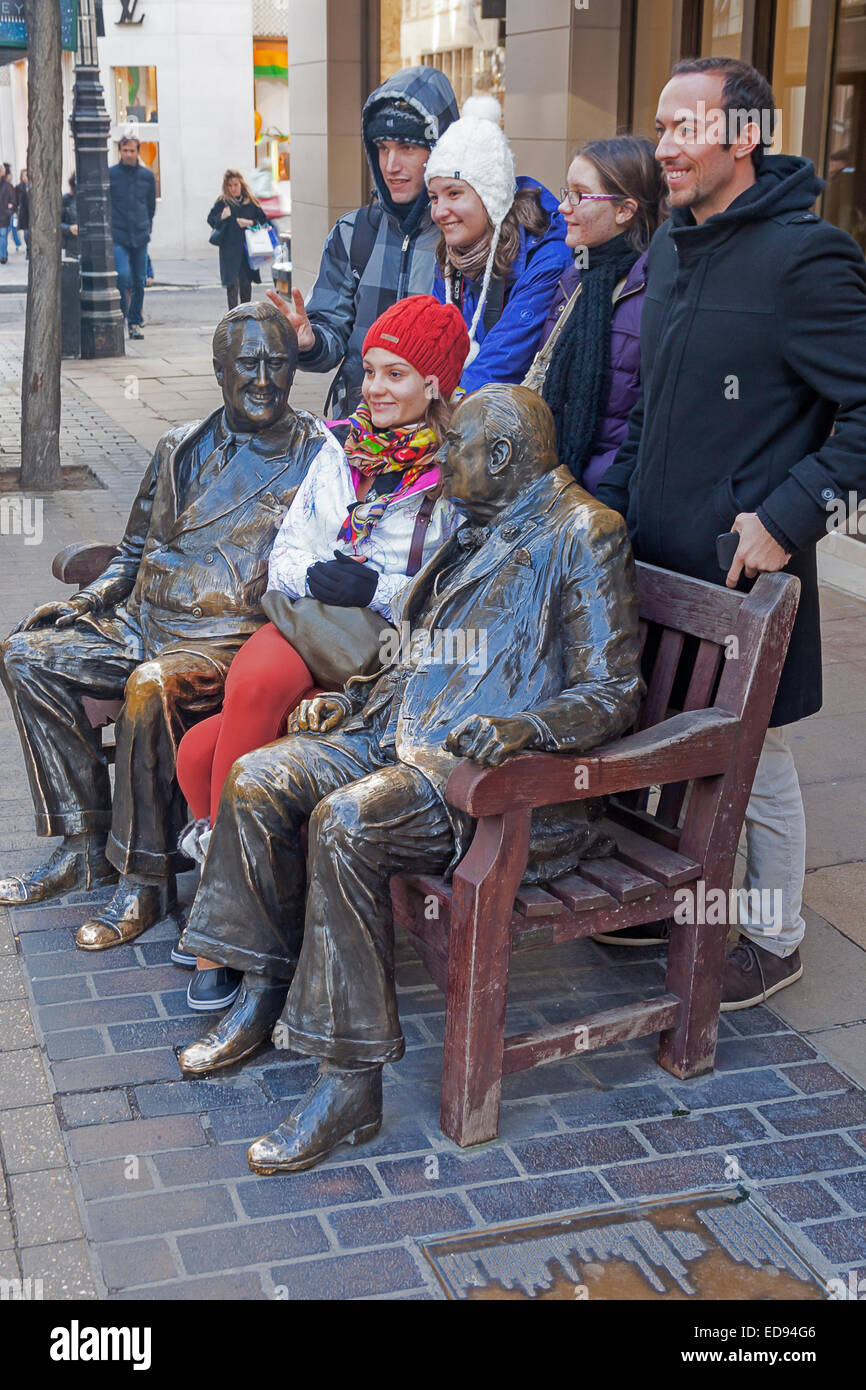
pixel 255 359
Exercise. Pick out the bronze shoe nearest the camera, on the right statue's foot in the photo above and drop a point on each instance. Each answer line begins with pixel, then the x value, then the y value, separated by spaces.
pixel 343 1107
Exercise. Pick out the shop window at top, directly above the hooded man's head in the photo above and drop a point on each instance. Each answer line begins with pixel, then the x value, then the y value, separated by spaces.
pixel 462 38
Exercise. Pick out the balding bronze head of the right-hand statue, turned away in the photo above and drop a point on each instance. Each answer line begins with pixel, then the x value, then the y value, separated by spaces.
pixel 500 440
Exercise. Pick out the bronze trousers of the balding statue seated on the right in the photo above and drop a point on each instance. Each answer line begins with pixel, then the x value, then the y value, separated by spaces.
pixel 369 818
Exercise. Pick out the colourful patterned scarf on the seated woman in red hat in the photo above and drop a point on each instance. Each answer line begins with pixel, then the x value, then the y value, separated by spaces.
pixel 372 452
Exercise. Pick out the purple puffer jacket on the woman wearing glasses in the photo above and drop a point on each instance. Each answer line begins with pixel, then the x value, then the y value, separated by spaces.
pixel 623 384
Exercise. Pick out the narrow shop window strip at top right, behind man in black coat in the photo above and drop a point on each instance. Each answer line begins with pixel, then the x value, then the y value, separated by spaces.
pixel 846 173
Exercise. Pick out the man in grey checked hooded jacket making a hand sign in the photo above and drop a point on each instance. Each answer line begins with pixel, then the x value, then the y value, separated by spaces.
pixel 382 252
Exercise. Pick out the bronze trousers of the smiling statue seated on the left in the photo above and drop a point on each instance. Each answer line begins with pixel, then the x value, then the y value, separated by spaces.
pixel 47 672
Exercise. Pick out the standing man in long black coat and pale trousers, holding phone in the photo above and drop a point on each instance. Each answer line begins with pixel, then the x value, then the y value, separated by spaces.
pixel 753 348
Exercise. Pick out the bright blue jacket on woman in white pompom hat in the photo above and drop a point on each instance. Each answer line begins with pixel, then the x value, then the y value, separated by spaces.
pixel 508 350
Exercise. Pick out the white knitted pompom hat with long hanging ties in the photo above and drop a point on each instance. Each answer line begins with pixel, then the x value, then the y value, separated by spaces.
pixel 476 151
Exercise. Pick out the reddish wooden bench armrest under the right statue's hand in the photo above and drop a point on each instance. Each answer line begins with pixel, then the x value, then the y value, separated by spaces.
pixel 696 744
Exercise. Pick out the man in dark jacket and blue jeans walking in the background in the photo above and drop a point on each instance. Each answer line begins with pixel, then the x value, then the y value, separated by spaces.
pixel 133 209
